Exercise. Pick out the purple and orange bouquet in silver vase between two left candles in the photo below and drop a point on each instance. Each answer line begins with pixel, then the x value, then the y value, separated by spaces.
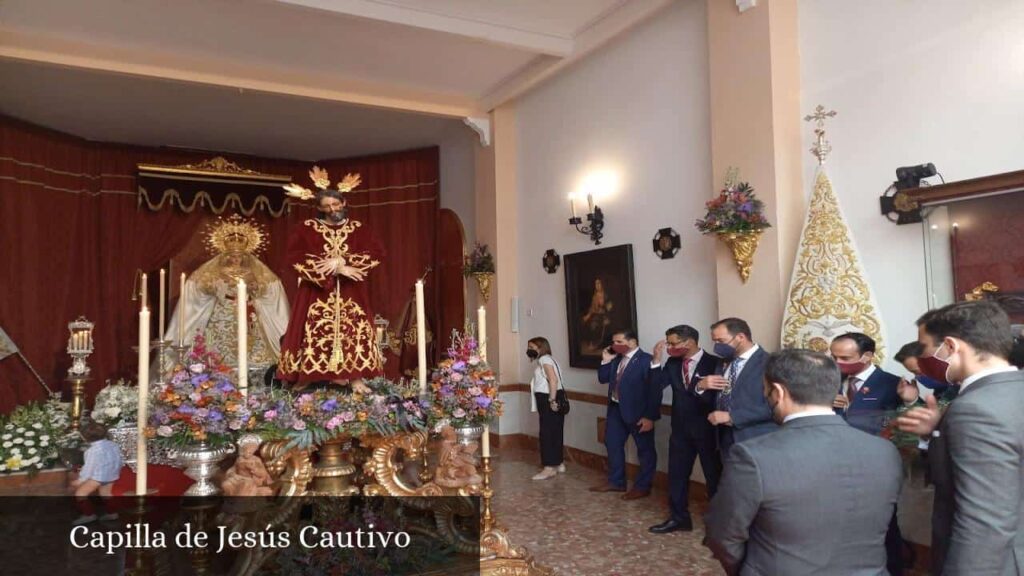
pixel 199 403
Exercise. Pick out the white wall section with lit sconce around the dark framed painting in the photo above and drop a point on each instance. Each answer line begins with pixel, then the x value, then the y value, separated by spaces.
pixel 639 108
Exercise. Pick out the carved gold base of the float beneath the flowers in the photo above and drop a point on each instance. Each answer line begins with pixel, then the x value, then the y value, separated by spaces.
pixel 383 462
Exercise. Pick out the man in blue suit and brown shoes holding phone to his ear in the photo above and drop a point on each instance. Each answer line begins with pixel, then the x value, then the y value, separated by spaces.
pixel 634 405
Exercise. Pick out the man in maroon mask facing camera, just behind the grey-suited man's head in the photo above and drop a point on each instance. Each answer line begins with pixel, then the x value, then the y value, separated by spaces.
pixel 868 392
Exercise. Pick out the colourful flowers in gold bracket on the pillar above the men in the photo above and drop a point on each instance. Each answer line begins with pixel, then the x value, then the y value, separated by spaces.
pixel 737 218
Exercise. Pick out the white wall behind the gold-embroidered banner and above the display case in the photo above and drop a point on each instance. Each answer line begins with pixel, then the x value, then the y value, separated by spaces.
pixel 913 81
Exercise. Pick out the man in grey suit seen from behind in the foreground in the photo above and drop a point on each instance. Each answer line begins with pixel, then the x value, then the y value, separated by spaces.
pixel 815 498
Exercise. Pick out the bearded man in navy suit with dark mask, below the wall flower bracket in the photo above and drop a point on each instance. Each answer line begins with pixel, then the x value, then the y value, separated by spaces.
pixel 741 410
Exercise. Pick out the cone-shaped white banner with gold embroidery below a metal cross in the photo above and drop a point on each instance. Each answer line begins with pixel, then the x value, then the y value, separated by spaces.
pixel 829 293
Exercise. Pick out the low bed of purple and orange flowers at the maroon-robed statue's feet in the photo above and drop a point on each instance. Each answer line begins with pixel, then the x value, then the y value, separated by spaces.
pixel 312 419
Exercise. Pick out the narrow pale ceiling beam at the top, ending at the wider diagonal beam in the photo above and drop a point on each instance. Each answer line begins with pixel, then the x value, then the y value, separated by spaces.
pixel 479 30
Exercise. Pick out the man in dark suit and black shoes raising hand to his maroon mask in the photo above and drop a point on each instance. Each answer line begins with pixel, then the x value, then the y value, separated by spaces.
pixel 693 436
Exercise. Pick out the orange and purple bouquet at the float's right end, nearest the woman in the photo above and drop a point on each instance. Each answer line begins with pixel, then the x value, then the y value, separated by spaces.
pixel 464 388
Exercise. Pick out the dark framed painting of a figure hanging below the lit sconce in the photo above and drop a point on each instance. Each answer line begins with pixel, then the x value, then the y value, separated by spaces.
pixel 601 299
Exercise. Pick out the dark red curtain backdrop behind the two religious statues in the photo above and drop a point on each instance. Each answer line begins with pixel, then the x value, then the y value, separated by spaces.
pixel 72 236
